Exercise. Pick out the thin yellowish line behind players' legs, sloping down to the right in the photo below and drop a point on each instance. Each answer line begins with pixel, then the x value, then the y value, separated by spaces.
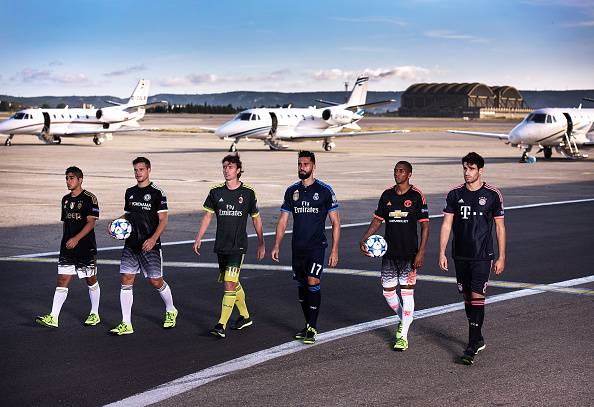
pixel 341 271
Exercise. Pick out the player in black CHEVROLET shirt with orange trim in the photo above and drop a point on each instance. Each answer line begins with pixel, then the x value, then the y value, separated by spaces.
pixel 402 208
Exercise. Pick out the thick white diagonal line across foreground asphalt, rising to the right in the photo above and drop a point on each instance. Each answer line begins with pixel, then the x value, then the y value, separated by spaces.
pixel 221 370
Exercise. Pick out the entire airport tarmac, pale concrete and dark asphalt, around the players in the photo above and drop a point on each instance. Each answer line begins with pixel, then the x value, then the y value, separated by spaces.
pixel 538 347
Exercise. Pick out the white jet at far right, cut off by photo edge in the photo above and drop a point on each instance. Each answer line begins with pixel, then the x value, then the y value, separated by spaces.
pixel 565 130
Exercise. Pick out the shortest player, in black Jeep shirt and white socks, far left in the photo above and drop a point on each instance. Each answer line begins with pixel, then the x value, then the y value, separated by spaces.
pixel 78 249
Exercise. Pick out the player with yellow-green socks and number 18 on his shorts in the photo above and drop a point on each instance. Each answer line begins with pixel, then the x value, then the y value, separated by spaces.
pixel 231 202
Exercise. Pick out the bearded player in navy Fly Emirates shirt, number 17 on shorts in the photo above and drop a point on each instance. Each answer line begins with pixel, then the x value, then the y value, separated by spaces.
pixel 310 201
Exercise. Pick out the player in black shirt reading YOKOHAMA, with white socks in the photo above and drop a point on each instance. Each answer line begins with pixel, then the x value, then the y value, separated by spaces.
pixel 146 208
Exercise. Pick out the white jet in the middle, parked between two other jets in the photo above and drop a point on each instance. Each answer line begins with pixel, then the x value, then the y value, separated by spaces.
pixel 274 126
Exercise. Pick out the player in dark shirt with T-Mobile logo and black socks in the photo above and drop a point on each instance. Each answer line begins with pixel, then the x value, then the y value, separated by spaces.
pixel 471 209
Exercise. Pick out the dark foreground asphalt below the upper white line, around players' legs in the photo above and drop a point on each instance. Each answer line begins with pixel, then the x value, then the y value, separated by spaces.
pixel 540 345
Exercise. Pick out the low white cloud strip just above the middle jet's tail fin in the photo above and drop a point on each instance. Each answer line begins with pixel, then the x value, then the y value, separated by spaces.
pixel 406 72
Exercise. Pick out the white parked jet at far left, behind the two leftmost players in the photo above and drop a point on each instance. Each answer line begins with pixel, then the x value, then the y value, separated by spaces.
pixel 50 125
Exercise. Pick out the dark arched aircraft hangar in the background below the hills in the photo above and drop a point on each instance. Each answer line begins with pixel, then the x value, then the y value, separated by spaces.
pixel 461 100
